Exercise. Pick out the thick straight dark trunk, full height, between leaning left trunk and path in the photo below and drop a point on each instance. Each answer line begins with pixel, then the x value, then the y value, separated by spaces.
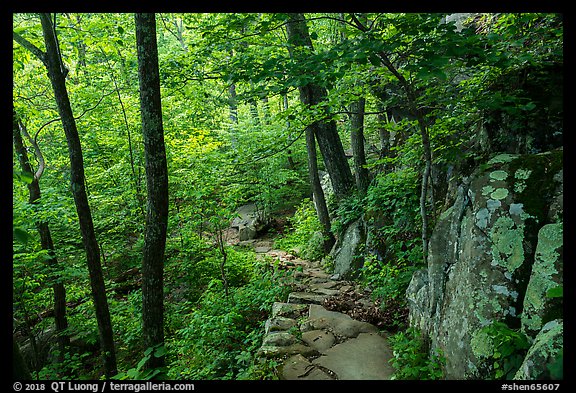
pixel 157 185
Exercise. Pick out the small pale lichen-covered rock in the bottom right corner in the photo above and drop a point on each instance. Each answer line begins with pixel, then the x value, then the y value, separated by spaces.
pixel 544 353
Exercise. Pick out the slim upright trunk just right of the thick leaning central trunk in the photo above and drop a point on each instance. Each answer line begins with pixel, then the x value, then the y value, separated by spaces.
pixel 357 142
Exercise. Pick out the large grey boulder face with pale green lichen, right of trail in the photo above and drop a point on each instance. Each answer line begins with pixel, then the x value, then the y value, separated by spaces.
pixel 493 256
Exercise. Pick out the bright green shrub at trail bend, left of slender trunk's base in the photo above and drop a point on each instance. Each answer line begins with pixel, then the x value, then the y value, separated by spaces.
pixel 306 235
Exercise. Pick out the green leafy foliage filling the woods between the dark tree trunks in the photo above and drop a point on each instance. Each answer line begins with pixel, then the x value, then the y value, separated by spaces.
pixel 499 70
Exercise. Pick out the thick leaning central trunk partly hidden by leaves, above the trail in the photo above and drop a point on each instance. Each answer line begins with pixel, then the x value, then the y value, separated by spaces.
pixel 325 130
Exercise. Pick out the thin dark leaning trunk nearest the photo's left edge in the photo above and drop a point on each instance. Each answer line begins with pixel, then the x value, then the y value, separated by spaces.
pixel 47 244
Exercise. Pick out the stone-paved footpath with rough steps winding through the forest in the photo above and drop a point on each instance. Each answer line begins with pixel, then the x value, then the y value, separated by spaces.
pixel 315 342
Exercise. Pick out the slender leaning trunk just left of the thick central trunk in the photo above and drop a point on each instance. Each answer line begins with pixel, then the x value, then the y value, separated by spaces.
pixel 317 192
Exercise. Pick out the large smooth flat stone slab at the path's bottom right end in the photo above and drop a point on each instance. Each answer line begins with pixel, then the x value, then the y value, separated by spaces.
pixel 365 357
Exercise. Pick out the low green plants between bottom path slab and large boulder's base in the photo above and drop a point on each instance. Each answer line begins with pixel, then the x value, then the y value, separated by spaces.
pixel 411 358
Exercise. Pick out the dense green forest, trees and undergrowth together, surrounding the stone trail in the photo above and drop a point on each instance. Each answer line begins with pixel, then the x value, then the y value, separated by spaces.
pixel 393 109
